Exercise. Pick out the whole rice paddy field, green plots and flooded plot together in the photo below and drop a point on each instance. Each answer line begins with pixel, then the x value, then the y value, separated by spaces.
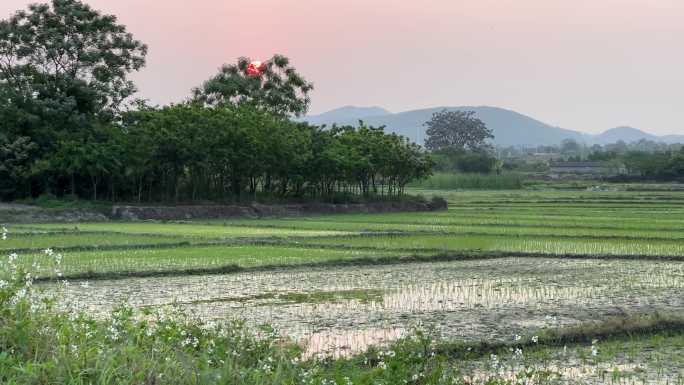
pixel 488 278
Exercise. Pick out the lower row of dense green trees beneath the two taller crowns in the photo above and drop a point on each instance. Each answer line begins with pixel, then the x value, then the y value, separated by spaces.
pixel 190 152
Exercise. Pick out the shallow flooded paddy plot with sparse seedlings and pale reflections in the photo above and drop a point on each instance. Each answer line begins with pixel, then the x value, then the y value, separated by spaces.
pixel 346 309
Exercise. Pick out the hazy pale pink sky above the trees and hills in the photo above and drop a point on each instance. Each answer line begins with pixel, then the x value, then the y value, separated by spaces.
pixel 587 65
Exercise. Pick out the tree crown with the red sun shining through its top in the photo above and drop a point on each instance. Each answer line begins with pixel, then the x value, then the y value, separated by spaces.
pixel 279 90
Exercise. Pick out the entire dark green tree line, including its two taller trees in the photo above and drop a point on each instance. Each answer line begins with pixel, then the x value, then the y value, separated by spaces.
pixel 69 125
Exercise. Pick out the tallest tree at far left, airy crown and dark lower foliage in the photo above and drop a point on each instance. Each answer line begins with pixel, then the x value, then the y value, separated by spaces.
pixel 64 75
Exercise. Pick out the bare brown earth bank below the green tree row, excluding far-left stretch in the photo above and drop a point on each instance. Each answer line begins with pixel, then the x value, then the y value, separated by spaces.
pixel 256 210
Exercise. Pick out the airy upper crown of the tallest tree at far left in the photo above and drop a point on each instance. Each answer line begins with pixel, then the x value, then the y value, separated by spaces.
pixel 69 51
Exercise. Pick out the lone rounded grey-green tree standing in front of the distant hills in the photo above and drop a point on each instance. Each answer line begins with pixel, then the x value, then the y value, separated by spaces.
pixel 457 130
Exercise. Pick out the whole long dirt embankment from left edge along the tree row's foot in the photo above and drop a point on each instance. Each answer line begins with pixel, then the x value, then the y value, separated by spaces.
pixel 18 213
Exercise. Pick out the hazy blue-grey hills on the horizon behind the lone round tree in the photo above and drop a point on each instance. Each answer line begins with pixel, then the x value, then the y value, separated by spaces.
pixel 510 128
